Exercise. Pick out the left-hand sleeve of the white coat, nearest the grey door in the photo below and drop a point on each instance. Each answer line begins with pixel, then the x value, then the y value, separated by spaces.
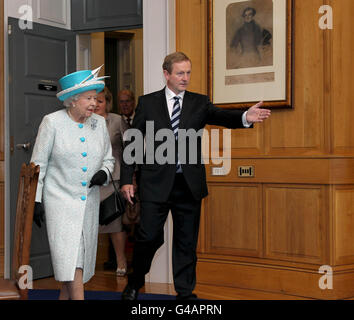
pixel 41 152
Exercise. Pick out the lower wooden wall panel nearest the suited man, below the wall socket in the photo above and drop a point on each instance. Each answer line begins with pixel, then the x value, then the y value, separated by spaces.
pixel 234 219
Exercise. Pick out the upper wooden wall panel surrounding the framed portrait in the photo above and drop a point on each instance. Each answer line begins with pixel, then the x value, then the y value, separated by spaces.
pixel 289 131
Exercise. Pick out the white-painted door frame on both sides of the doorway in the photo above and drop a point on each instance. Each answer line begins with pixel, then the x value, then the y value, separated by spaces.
pixel 159 40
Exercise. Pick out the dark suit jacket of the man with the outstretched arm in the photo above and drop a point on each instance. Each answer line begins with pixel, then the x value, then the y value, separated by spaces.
pixel 156 180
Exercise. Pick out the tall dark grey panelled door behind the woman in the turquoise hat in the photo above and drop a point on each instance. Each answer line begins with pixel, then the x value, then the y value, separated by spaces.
pixel 37 59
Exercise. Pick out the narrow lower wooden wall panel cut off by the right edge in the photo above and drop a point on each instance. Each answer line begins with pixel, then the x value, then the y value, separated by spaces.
pixel 344 224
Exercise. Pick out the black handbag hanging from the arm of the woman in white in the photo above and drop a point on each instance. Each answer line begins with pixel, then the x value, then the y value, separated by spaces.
pixel 112 207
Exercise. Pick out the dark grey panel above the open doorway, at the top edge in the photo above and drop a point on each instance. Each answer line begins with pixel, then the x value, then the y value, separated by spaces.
pixel 106 14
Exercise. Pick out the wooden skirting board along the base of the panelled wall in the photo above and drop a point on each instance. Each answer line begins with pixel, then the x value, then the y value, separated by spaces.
pixel 277 279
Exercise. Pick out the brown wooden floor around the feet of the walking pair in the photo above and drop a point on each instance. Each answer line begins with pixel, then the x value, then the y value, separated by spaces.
pixel 108 281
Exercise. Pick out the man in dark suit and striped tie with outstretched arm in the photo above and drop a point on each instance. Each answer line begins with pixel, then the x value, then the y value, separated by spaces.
pixel 179 186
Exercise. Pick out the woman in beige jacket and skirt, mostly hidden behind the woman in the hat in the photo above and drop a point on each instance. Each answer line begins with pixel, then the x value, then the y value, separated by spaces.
pixel 116 128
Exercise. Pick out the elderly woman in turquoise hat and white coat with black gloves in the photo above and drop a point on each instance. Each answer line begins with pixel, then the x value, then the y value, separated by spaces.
pixel 74 152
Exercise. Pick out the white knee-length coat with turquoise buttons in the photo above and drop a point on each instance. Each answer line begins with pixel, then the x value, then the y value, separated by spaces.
pixel 69 154
